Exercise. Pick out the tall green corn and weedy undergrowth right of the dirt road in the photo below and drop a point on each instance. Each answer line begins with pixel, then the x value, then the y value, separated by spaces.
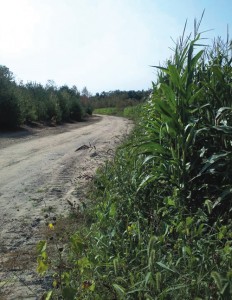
pixel 159 226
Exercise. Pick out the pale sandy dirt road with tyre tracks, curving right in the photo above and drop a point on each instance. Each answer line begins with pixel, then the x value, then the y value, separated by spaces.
pixel 40 173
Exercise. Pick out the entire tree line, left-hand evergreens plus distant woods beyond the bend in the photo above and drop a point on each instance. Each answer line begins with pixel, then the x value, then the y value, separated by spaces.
pixel 32 102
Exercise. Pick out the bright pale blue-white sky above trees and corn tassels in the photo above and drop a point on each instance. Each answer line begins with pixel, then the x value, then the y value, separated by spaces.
pixel 102 44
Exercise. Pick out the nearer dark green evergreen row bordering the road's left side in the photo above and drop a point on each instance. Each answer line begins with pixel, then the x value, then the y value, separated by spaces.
pixel 33 102
